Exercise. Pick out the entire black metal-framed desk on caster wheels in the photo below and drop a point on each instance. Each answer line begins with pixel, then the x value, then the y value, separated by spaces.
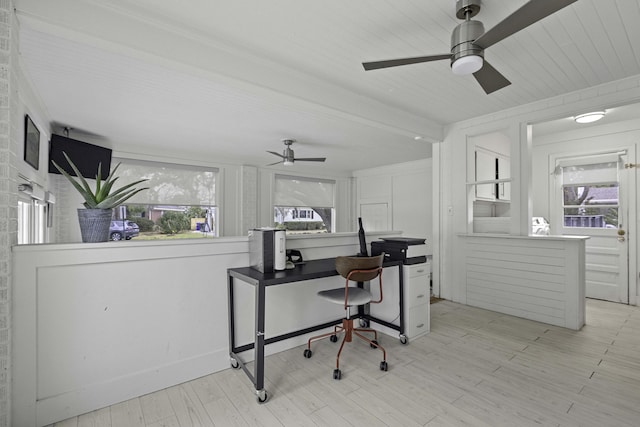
pixel 315 269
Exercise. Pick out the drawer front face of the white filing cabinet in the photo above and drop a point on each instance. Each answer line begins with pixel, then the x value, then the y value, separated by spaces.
pixel 417 299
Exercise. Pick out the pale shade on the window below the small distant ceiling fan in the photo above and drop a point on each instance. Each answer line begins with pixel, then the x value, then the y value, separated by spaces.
pixel 297 192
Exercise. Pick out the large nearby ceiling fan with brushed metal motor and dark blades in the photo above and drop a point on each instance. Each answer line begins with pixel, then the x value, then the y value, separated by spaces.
pixel 469 40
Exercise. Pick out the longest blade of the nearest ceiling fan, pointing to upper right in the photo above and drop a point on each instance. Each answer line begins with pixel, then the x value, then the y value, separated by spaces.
pixel 532 12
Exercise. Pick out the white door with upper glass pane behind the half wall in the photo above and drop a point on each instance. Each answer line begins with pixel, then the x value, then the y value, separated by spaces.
pixel 591 200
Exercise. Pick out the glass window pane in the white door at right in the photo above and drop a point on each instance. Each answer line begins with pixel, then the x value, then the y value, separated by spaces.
pixel 591 195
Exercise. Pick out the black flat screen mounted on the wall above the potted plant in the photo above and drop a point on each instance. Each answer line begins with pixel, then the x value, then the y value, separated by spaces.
pixel 85 156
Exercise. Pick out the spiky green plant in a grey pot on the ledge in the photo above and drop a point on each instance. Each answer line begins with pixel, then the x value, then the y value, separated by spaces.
pixel 95 218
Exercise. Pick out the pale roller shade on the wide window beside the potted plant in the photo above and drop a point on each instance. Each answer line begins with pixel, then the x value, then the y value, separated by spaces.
pixel 169 184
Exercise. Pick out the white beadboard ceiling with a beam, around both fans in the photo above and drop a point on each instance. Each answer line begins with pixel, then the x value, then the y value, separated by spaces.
pixel 227 80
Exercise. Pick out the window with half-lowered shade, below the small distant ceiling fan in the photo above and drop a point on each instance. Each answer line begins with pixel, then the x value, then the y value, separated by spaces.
pixel 304 205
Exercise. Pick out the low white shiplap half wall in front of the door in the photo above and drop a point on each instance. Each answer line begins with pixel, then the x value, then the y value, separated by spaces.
pixel 538 278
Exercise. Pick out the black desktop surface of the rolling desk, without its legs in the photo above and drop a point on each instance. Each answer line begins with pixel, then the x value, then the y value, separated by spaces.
pixel 313 269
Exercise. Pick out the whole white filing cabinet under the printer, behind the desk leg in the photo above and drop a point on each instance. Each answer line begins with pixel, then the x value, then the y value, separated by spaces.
pixel 417 298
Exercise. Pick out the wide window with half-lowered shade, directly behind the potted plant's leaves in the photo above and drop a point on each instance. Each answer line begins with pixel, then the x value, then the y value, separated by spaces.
pixel 180 201
